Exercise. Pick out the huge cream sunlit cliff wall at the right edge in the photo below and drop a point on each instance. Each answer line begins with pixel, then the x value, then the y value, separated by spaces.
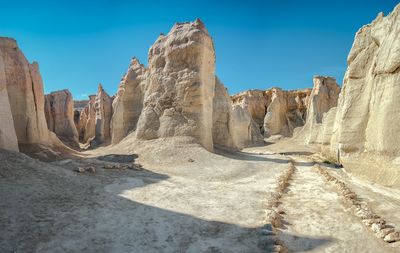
pixel 367 123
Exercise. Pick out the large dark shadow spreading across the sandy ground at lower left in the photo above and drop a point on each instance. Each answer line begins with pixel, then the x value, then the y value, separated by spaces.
pixel 50 208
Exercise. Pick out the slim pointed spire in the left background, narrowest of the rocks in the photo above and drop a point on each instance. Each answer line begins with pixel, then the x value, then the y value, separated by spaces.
pixel 103 110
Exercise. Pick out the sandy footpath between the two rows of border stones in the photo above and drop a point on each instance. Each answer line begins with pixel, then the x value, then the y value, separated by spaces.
pixel 317 220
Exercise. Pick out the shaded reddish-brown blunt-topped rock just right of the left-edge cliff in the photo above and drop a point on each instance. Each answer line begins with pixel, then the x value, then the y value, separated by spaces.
pixel 59 114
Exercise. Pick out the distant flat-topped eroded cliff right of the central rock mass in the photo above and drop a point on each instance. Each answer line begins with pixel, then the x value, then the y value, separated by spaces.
pixel 275 111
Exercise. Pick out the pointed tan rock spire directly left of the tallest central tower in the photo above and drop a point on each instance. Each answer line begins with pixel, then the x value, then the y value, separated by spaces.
pixel 128 104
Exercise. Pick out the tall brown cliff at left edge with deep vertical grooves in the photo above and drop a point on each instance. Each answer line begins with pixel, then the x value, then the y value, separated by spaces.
pixel 24 87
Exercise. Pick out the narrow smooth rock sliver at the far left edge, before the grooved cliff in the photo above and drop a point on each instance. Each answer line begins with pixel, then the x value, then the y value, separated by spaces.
pixel 8 137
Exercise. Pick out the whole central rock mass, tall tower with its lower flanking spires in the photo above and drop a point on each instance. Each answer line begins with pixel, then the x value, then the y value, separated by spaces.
pixel 179 95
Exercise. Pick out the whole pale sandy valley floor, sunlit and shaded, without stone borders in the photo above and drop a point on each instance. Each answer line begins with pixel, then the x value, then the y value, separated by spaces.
pixel 180 198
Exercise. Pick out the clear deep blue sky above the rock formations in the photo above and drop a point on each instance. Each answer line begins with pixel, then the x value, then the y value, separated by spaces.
pixel 259 44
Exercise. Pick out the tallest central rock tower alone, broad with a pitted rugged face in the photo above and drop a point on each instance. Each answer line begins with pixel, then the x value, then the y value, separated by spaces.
pixel 179 96
